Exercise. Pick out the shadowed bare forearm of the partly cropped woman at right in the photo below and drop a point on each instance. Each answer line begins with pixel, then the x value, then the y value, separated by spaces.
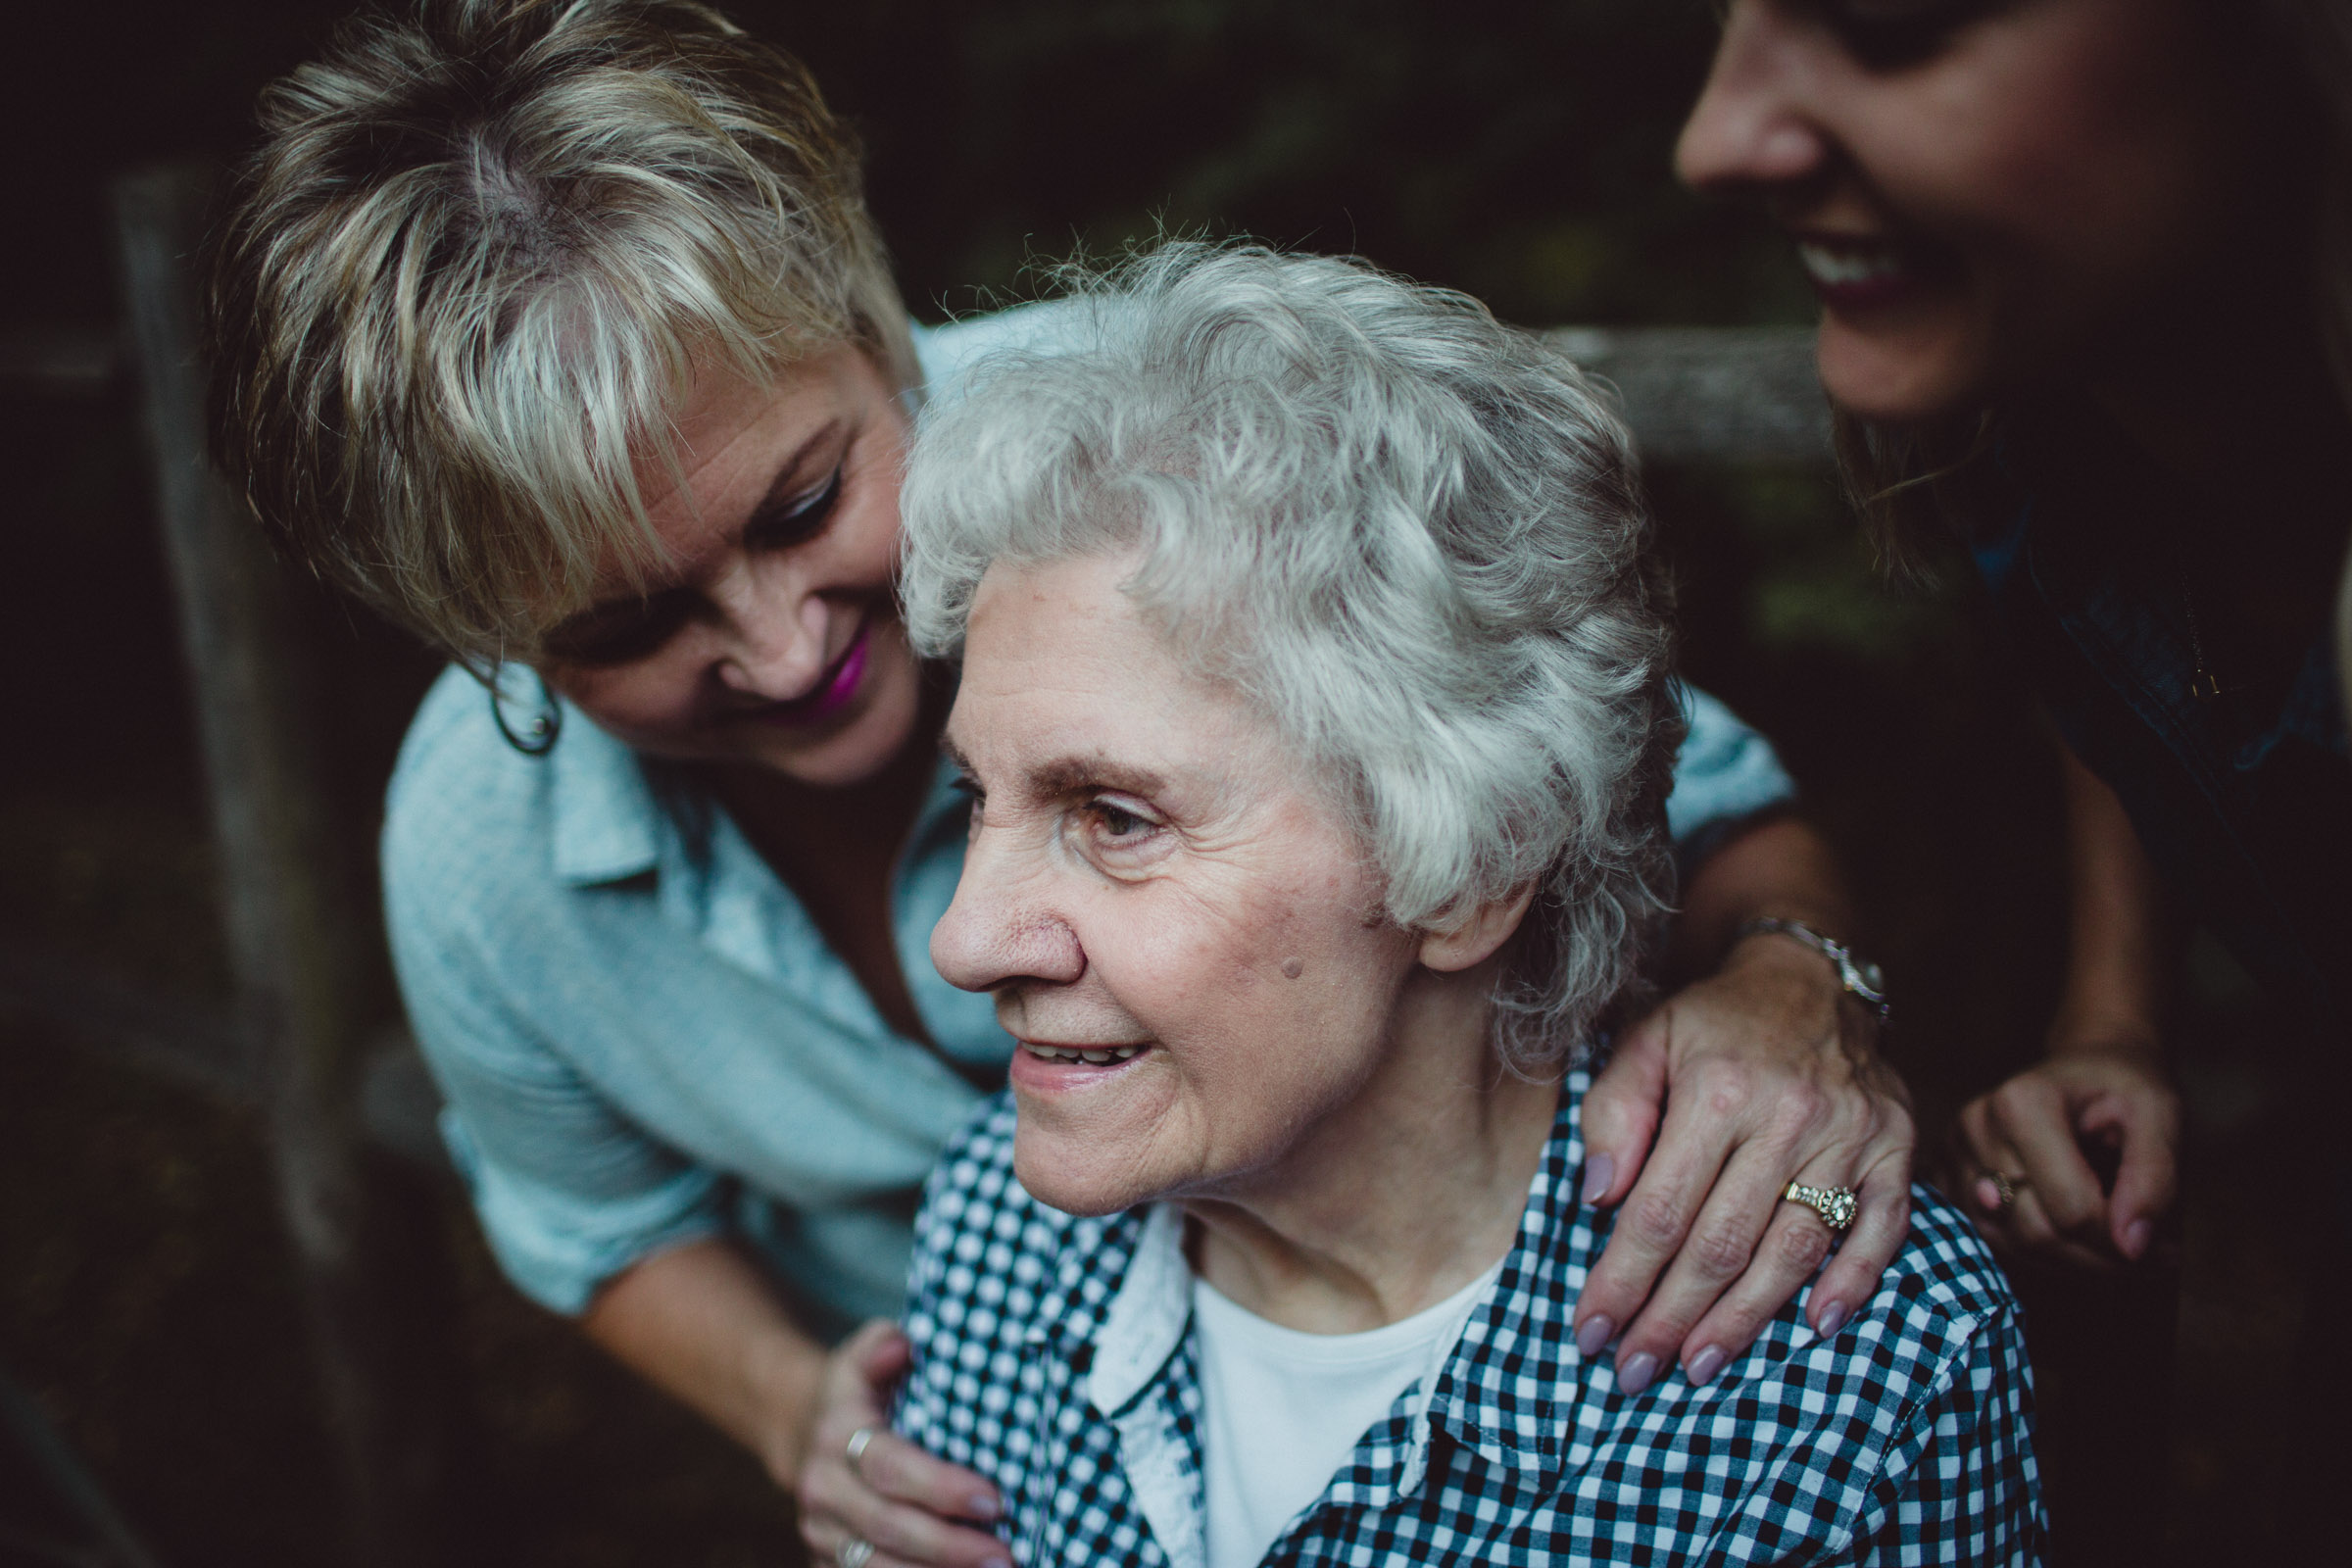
pixel 2116 932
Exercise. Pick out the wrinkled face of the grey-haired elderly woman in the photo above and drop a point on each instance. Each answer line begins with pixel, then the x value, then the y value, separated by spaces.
pixel 1182 937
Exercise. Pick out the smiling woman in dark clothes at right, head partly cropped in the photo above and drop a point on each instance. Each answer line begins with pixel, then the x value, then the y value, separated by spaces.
pixel 2087 309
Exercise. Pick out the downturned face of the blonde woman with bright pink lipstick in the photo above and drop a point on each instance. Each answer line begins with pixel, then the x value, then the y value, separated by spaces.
pixel 770 636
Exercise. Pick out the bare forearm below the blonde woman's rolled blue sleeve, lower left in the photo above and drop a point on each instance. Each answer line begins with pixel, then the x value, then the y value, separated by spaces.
pixel 704 1327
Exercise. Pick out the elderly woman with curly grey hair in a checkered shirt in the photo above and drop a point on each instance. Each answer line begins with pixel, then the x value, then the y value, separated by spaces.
pixel 1318 716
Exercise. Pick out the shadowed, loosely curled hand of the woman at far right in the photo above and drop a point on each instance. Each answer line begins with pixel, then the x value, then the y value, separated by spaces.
pixel 2024 1172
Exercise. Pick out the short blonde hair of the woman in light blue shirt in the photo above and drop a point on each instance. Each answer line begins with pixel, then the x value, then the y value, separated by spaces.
pixel 472 269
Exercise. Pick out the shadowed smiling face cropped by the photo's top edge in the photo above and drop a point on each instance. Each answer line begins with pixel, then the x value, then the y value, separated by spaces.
pixel 1984 194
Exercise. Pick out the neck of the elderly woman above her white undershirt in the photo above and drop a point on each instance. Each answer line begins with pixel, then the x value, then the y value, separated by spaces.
pixel 1401 1198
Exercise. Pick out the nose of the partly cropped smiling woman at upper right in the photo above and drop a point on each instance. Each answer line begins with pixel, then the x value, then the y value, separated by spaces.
pixel 1753 123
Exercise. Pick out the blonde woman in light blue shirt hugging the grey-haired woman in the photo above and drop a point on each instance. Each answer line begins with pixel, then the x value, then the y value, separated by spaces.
pixel 559 333
